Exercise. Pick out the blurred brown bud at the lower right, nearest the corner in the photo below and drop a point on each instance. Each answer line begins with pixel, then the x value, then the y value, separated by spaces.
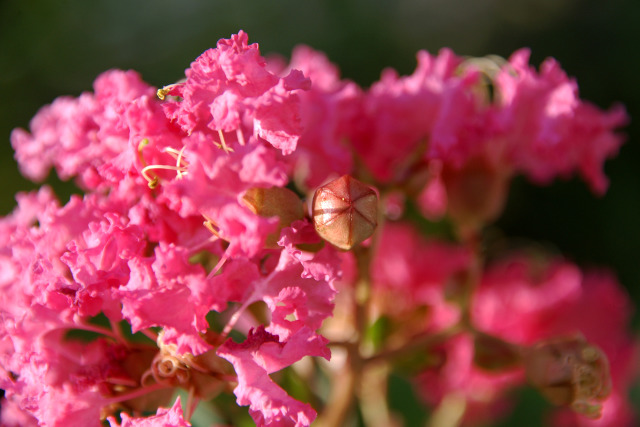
pixel 570 372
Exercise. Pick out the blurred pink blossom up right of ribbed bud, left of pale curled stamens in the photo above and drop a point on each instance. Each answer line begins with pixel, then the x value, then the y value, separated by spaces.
pixel 434 113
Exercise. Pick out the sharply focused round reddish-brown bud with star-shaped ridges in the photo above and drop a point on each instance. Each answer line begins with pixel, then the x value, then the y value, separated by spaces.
pixel 345 212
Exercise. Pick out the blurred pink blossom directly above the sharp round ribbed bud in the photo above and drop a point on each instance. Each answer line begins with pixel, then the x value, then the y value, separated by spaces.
pixel 327 111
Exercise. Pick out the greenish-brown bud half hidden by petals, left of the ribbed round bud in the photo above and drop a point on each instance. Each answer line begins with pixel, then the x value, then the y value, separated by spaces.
pixel 274 201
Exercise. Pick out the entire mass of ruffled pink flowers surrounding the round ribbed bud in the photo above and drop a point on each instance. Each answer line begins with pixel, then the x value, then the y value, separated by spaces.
pixel 166 243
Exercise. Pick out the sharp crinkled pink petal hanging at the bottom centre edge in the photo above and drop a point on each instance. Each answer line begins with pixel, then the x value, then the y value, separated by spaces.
pixel 260 354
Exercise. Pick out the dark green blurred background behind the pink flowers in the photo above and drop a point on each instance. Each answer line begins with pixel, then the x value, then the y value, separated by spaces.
pixel 53 48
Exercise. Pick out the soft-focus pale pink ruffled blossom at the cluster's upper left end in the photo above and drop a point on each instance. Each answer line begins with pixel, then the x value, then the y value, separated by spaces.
pixel 78 135
